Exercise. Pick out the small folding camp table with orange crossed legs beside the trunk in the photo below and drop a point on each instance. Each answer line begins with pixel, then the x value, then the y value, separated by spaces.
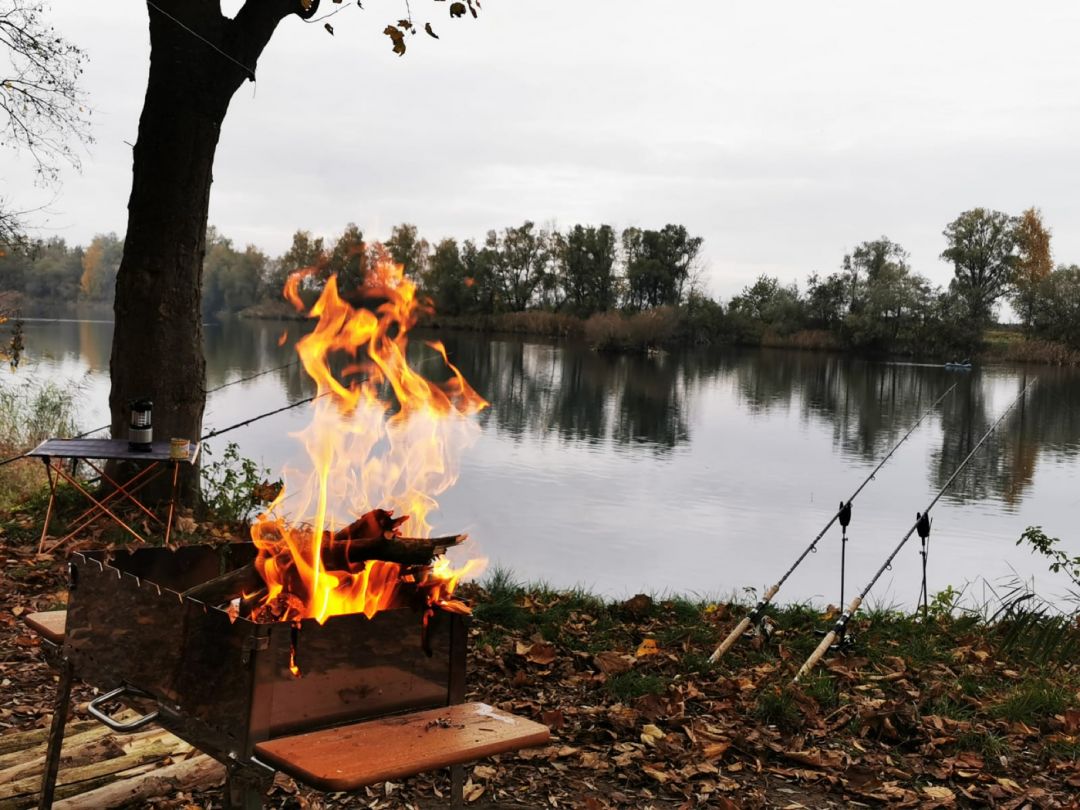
pixel 150 465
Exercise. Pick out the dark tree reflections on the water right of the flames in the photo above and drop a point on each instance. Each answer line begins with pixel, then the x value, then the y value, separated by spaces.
pixel 580 397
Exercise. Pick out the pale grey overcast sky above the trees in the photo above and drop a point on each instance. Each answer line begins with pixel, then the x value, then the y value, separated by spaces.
pixel 782 132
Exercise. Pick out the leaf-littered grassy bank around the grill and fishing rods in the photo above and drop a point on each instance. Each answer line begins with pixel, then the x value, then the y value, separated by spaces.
pixel 955 711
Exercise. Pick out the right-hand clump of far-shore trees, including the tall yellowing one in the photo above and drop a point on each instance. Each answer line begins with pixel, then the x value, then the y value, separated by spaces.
pixel 877 304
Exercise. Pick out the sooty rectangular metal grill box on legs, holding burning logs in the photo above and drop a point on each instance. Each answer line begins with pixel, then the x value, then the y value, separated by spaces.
pixel 226 684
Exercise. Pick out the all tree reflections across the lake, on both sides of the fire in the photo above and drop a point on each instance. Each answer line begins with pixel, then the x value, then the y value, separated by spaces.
pixel 548 393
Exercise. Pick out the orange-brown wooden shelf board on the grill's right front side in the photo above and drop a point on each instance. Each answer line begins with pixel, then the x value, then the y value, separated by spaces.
pixel 349 758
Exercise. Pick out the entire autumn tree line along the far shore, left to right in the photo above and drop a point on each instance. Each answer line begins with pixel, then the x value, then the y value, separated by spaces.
pixel 875 303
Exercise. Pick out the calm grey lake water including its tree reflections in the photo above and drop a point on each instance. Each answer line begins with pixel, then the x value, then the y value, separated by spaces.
pixel 701 472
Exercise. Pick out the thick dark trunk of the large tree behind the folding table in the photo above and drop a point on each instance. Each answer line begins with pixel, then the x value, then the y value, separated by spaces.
pixel 198 60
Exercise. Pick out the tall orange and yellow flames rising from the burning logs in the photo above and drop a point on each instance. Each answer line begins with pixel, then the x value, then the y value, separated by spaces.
pixel 383 437
